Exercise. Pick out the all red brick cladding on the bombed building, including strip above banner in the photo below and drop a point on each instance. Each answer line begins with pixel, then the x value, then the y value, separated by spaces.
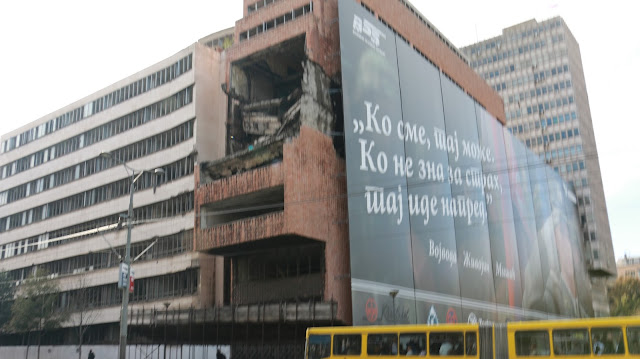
pixel 312 174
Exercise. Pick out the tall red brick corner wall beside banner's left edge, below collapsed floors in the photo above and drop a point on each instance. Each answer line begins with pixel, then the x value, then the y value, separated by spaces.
pixel 316 207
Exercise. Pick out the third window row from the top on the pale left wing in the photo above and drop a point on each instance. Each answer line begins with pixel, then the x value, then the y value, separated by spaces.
pixel 86 168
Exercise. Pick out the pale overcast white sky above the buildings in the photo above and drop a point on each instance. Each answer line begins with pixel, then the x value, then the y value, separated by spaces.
pixel 57 52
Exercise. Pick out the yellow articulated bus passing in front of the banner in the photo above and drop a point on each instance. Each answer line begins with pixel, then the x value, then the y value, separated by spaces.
pixel 565 339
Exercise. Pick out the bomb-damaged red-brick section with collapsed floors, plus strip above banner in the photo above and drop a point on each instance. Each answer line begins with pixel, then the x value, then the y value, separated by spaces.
pixel 273 211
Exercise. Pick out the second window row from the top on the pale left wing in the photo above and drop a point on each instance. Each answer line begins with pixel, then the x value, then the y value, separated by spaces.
pixel 100 133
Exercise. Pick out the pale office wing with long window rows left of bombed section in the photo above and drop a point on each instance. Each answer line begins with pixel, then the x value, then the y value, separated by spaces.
pixel 63 205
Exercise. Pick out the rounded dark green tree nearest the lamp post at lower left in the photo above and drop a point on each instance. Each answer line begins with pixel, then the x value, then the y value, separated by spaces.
pixel 35 308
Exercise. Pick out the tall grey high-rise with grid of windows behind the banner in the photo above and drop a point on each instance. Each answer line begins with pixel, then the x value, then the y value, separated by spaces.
pixel 537 69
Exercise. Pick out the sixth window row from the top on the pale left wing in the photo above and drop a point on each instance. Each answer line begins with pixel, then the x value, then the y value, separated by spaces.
pixel 166 246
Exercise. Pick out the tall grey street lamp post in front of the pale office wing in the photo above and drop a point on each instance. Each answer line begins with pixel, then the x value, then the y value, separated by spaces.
pixel 127 256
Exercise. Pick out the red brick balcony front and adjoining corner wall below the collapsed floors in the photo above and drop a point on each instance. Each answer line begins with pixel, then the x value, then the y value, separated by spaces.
pixel 315 206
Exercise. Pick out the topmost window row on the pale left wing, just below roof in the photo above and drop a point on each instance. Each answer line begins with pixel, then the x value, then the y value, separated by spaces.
pixel 116 97
